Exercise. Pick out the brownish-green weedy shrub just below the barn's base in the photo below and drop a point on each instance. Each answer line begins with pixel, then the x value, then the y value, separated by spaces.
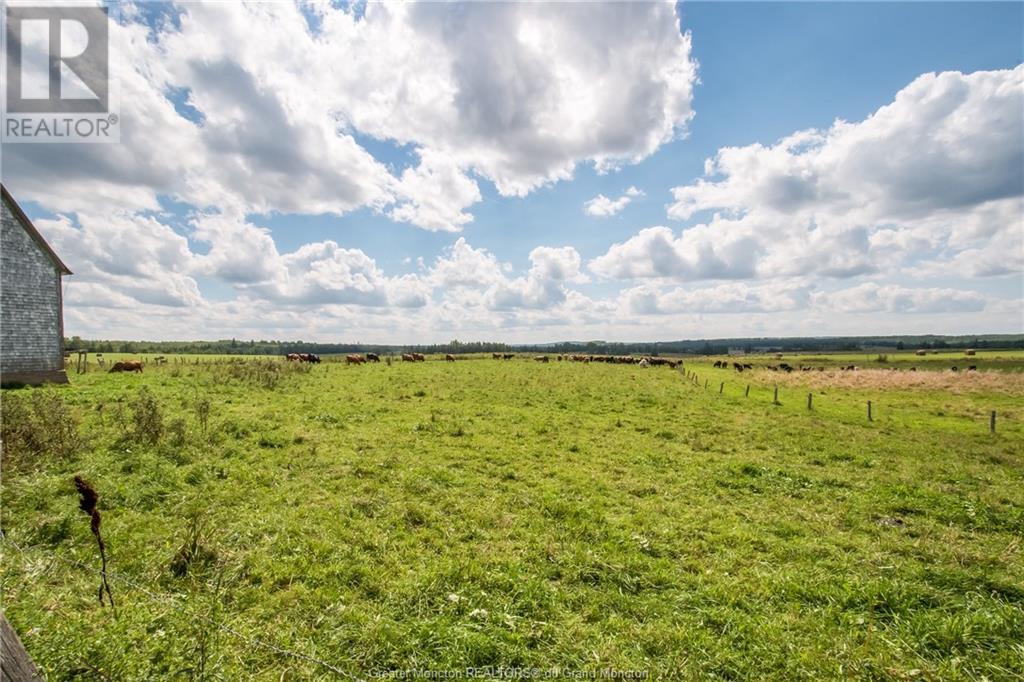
pixel 36 425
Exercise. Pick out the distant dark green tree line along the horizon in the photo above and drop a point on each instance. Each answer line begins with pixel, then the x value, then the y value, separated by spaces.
pixel 693 348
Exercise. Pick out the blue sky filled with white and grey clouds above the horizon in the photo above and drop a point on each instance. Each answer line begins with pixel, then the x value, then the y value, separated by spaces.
pixel 422 173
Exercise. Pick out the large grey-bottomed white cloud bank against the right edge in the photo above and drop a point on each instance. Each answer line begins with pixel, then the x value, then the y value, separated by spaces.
pixel 933 177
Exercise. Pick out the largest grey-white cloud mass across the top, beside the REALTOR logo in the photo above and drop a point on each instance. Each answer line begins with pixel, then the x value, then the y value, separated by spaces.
pixel 244 108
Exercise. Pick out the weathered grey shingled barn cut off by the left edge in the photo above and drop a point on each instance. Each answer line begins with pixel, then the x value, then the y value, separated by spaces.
pixel 31 303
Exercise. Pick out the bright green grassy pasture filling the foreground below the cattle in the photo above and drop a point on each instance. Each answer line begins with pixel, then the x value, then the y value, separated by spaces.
pixel 441 516
